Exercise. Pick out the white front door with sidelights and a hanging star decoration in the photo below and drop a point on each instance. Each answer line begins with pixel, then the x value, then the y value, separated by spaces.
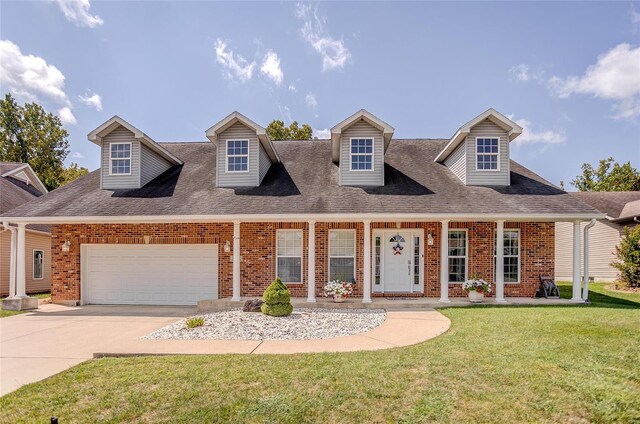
pixel 396 255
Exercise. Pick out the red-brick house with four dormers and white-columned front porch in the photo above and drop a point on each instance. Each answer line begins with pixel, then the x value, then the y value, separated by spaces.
pixel 174 223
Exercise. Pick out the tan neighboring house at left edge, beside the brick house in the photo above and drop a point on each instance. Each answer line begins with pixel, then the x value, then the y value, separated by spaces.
pixel 20 185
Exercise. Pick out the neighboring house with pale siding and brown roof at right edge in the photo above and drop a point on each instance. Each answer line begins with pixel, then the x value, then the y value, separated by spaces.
pixel 621 209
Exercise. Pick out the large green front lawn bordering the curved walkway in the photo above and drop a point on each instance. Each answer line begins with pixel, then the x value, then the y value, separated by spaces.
pixel 495 364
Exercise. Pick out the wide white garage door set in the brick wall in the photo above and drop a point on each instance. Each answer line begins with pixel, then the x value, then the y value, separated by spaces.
pixel 149 274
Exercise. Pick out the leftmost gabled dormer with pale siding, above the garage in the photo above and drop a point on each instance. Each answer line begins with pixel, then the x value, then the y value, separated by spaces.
pixel 130 159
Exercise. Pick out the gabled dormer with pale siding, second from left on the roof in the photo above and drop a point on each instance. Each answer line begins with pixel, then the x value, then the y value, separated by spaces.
pixel 244 151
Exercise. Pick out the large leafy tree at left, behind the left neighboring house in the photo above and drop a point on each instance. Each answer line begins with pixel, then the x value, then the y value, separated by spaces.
pixel 31 135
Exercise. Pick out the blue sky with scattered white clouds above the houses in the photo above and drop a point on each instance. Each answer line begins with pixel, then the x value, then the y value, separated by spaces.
pixel 568 72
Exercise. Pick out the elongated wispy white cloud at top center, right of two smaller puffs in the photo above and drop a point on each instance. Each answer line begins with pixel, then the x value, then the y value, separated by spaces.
pixel 334 52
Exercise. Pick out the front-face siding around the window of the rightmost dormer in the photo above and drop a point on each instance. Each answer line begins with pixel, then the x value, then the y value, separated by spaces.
pixel 474 176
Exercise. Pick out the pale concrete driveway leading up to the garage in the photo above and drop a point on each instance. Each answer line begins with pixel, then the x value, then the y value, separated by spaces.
pixel 38 344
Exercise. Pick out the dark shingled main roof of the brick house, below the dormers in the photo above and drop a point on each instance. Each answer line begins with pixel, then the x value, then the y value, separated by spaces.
pixel 306 183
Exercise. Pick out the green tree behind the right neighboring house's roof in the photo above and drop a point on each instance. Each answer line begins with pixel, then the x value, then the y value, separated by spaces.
pixel 609 176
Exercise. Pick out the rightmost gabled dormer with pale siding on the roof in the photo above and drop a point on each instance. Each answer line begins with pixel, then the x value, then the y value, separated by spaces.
pixel 478 153
